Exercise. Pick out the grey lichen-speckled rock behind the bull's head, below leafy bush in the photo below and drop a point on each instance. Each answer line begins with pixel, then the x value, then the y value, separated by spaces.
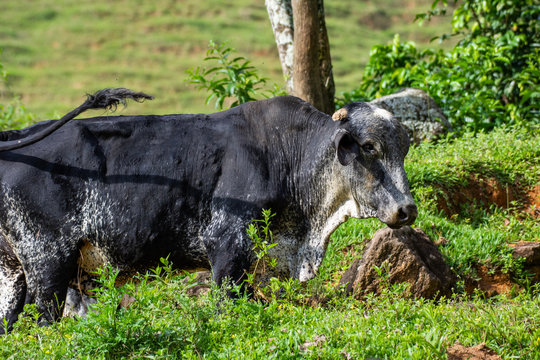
pixel 418 112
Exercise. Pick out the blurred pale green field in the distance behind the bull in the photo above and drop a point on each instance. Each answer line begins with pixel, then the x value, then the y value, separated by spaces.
pixel 56 51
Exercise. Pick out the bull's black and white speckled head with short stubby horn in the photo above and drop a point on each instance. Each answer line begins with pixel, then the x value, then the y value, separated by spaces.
pixel 370 149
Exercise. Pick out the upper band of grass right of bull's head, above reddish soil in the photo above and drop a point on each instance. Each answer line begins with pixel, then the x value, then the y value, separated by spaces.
pixel 509 154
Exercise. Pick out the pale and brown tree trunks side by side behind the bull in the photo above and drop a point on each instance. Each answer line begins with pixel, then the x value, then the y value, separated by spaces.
pixel 300 31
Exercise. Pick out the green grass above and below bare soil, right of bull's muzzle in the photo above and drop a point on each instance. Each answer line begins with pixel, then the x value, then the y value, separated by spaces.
pixel 476 233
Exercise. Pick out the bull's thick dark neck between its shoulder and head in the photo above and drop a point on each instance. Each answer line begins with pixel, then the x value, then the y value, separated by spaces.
pixel 299 141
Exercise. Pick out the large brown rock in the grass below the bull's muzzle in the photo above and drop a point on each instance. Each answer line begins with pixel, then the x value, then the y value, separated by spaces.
pixel 411 257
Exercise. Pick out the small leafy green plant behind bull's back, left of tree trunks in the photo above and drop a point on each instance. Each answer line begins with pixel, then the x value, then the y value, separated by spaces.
pixel 231 78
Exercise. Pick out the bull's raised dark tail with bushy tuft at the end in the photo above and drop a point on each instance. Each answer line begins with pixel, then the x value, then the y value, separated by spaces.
pixel 103 99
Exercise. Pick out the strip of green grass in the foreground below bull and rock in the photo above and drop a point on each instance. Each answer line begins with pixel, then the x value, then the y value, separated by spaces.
pixel 166 323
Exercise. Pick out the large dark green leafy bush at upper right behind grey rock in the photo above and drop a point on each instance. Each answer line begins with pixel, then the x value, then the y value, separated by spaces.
pixel 491 77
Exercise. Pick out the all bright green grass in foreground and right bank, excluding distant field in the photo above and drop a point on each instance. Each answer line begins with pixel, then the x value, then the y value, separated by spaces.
pixel 317 320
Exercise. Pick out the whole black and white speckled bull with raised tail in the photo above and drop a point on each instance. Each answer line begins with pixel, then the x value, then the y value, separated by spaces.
pixel 133 189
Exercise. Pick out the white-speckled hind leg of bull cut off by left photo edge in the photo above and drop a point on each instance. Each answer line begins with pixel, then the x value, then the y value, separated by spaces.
pixel 12 287
